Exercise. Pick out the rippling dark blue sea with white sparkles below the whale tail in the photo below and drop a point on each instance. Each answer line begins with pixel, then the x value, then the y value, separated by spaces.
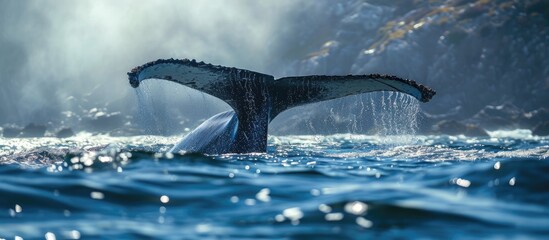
pixel 306 187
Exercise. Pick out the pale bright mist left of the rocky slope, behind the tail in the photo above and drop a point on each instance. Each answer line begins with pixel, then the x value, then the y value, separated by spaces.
pixel 60 56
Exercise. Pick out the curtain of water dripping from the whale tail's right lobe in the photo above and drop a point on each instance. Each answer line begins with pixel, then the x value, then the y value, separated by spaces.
pixel 391 116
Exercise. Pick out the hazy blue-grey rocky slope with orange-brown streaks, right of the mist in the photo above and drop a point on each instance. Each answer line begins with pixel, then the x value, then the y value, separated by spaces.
pixel 488 59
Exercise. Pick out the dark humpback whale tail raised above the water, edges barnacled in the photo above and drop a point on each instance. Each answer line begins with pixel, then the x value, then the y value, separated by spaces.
pixel 257 98
